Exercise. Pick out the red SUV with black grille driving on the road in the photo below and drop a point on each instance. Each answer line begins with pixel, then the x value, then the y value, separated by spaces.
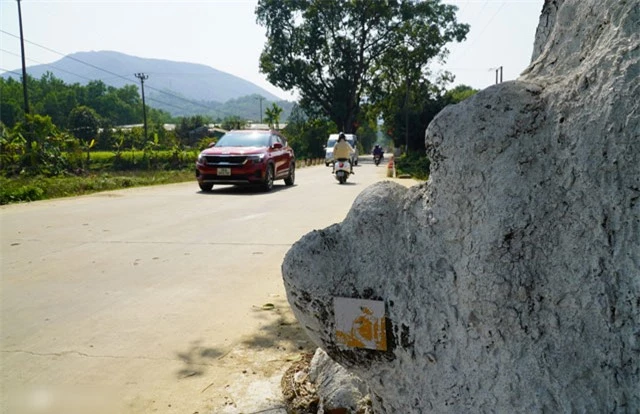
pixel 247 157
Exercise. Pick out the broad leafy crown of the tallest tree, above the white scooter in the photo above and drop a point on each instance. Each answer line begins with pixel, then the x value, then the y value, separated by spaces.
pixel 331 51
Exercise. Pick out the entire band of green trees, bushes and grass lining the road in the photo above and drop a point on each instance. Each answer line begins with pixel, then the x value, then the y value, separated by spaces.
pixel 74 139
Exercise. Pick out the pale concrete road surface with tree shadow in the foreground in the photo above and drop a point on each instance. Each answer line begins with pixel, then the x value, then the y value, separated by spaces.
pixel 158 299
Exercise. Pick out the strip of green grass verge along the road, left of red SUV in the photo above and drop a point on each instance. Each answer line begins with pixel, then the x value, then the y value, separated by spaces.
pixel 14 190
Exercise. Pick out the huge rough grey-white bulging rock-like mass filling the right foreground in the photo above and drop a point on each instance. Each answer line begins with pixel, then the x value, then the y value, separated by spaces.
pixel 511 280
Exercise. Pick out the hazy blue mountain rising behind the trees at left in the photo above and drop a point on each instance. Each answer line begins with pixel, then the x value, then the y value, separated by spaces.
pixel 180 88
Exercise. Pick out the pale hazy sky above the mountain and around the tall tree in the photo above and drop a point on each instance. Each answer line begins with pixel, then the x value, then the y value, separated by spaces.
pixel 224 34
